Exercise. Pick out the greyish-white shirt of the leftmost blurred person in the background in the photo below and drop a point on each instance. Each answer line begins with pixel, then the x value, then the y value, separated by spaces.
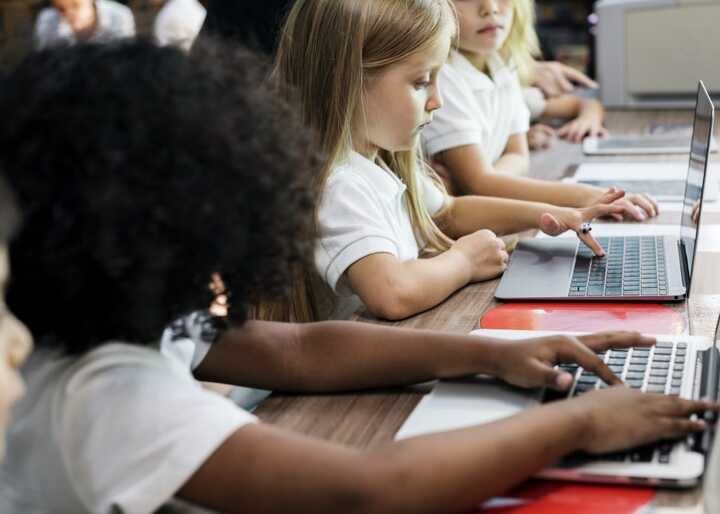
pixel 114 21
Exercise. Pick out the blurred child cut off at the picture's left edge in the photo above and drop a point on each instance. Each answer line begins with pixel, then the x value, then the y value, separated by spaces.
pixel 15 341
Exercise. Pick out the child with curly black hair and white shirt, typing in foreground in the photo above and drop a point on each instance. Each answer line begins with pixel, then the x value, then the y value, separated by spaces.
pixel 158 186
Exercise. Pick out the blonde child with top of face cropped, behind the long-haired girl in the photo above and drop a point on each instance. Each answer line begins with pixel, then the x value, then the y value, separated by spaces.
pixel 479 136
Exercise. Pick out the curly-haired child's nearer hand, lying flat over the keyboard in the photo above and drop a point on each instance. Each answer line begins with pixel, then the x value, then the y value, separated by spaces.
pixel 618 418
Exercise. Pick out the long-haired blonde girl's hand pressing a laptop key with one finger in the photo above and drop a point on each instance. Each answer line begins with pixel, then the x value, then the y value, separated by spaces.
pixel 561 219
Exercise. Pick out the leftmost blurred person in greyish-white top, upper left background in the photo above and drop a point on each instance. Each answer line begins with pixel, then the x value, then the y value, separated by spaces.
pixel 70 21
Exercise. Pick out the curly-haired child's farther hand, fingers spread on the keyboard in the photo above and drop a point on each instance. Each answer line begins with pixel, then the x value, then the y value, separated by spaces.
pixel 529 362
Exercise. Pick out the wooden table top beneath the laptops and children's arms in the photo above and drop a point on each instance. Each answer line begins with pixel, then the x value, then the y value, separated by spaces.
pixel 371 419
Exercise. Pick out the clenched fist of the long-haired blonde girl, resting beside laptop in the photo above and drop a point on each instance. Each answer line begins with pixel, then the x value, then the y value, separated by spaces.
pixel 484 253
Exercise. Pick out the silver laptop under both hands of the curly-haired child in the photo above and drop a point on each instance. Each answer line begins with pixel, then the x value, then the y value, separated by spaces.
pixel 678 365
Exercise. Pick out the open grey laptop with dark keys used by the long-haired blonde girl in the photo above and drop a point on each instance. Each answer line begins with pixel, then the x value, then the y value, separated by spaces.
pixel 635 268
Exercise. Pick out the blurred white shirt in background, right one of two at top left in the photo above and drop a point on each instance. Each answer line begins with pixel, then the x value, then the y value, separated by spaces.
pixel 179 22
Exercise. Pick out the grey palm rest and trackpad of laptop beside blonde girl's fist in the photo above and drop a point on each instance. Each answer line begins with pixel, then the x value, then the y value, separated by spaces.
pixel 539 268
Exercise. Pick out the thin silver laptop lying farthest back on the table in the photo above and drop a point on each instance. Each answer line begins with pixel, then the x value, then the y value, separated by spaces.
pixel 639 145
